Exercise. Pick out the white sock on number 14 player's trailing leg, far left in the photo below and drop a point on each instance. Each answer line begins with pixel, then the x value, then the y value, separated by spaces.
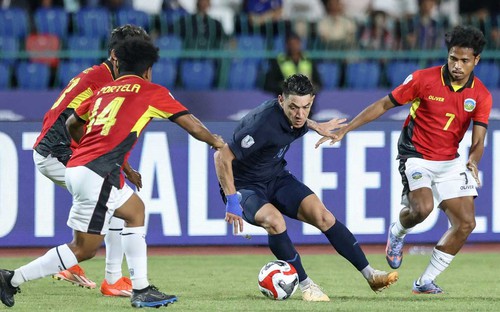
pixel 55 260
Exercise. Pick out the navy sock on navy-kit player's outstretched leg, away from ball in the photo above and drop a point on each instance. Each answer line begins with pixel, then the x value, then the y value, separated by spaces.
pixel 346 245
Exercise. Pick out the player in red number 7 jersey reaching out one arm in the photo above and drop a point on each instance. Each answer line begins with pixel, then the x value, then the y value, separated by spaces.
pixel 444 100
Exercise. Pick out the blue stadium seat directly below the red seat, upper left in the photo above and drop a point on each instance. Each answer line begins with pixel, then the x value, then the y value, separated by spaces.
pixel 33 76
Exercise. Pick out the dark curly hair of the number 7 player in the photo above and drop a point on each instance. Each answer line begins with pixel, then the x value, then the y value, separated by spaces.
pixel 466 37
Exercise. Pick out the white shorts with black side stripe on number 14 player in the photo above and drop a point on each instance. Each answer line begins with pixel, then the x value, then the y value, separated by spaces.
pixel 94 200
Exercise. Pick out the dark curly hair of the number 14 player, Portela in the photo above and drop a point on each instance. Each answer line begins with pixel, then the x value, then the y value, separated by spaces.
pixel 136 56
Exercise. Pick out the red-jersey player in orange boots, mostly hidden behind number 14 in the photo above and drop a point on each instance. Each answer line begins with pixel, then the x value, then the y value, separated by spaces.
pixel 53 149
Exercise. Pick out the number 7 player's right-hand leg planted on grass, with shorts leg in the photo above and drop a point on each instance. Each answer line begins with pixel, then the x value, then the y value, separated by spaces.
pixel 455 191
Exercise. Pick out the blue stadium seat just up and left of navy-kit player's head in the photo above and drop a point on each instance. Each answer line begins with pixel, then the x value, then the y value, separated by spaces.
pixel 242 75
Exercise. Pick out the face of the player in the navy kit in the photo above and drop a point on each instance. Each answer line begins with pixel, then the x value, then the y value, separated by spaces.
pixel 296 108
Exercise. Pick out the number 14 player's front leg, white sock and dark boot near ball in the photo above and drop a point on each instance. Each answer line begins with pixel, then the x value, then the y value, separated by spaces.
pixel 131 209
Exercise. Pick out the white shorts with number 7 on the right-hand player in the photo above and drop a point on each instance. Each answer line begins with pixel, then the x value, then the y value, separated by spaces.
pixel 447 179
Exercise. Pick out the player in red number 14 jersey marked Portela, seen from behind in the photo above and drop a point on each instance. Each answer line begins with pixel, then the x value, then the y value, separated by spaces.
pixel 116 116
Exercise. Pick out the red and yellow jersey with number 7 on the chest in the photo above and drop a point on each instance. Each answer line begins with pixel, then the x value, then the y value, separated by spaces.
pixel 440 114
